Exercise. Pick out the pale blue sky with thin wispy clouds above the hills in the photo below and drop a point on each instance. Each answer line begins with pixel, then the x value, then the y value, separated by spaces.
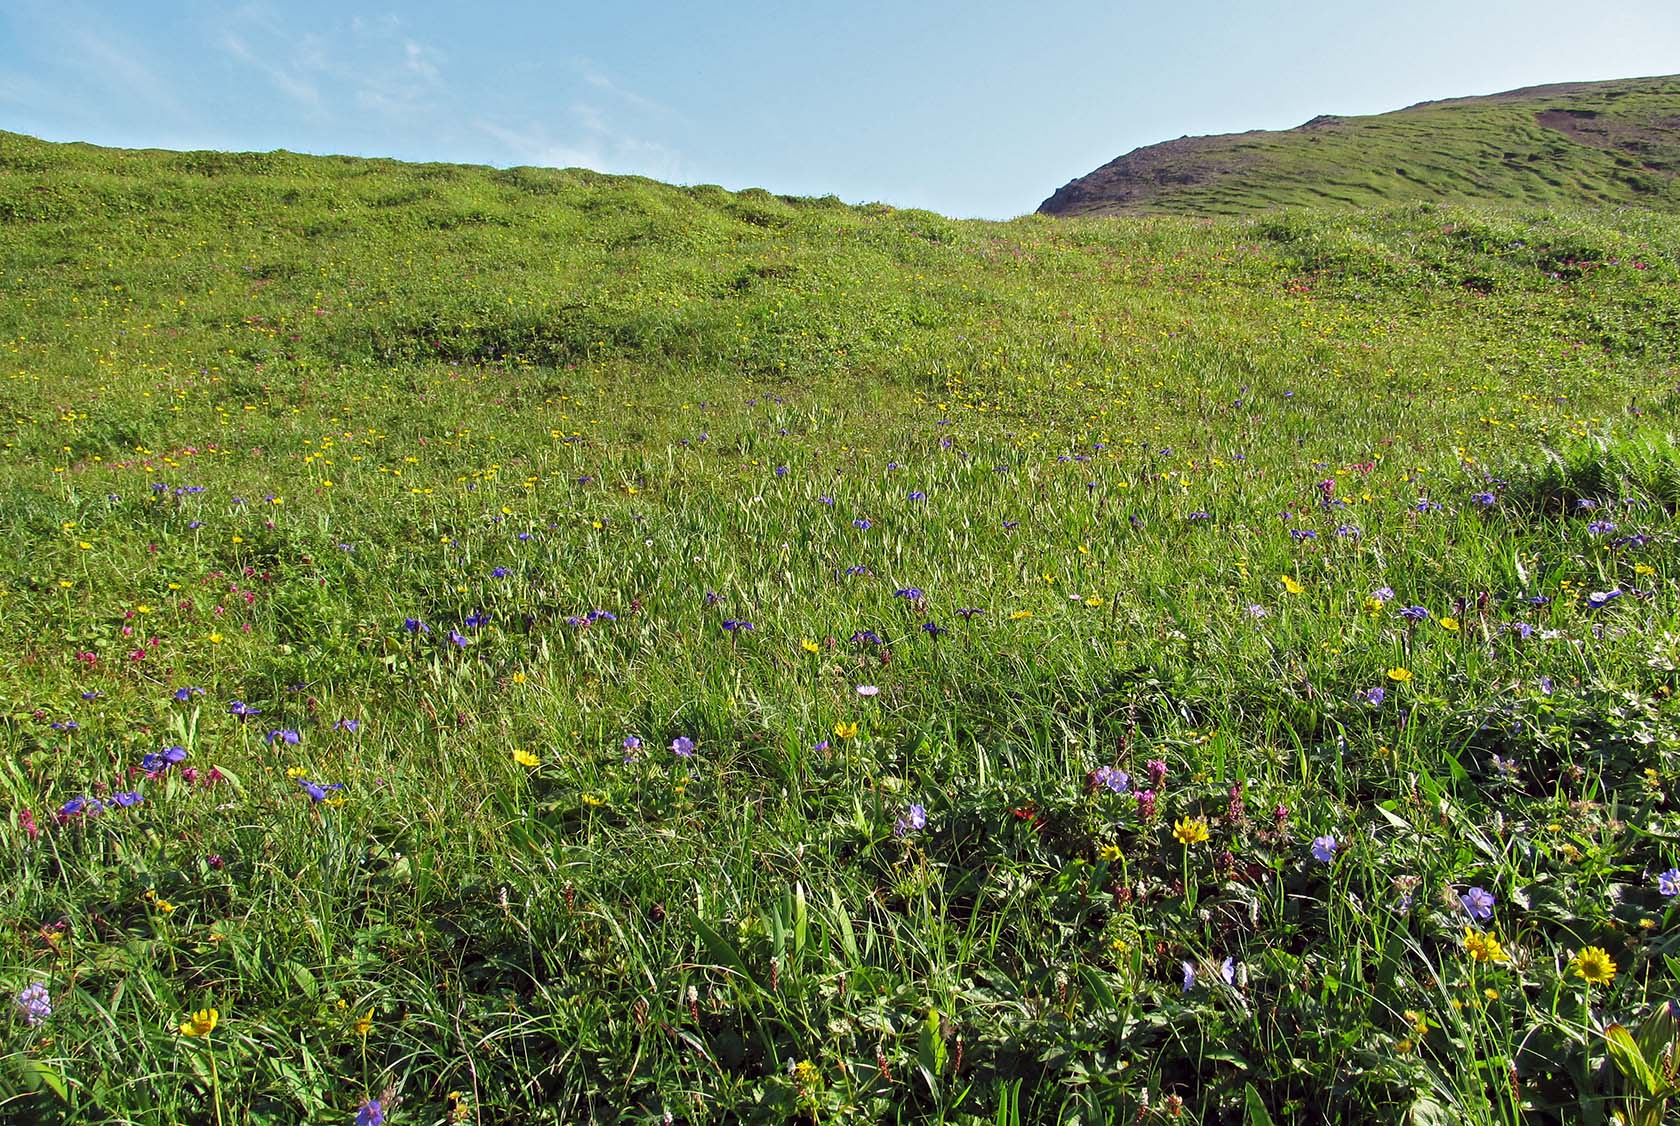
pixel 965 108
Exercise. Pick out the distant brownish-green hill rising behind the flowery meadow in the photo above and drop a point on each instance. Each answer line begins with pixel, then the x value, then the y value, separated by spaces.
pixel 1568 145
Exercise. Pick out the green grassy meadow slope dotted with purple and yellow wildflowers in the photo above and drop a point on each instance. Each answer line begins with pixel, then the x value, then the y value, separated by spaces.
pixel 545 648
